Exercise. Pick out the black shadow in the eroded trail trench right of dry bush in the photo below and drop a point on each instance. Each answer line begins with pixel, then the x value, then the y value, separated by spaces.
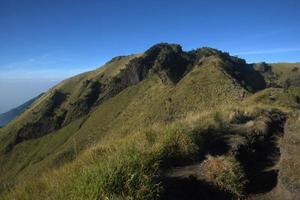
pixel 259 159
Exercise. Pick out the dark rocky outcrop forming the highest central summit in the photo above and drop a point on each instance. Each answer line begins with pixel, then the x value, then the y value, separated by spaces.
pixel 168 61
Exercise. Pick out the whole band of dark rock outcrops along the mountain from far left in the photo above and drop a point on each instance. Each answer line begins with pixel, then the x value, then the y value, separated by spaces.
pixel 168 61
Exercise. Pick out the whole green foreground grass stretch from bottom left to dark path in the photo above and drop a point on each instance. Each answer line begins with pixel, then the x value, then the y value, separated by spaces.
pixel 125 169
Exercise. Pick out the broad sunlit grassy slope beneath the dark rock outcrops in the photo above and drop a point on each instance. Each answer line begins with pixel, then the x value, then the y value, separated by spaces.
pixel 204 88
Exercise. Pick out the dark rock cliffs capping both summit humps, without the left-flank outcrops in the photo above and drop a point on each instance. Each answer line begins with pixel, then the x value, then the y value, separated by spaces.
pixel 171 64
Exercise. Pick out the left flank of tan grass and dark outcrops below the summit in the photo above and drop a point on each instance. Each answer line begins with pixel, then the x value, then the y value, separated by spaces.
pixel 62 104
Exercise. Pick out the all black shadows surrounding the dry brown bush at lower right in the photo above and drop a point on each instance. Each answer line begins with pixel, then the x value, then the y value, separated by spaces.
pixel 258 157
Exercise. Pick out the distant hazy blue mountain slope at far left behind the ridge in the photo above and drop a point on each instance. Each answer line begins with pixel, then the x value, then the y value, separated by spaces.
pixel 13 113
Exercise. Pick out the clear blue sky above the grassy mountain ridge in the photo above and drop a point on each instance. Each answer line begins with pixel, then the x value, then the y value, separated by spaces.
pixel 44 41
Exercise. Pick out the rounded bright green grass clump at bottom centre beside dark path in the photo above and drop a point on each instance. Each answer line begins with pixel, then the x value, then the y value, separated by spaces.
pixel 125 175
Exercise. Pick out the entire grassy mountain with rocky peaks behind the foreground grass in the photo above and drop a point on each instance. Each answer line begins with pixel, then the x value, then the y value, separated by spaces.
pixel 163 84
